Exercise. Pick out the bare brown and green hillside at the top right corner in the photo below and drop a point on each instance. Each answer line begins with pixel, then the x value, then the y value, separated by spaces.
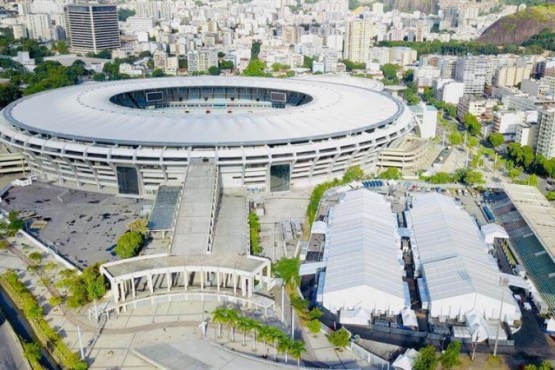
pixel 519 27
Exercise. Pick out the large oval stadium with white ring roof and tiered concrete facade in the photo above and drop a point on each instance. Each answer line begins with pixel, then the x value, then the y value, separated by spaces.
pixel 131 136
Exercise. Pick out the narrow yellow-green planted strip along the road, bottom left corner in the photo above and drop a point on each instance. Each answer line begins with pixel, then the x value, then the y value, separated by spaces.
pixel 33 312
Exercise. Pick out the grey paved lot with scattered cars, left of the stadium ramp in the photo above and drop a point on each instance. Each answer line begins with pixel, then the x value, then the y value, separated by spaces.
pixel 81 226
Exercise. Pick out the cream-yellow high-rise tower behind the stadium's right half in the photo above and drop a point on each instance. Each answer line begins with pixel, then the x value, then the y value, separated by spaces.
pixel 358 37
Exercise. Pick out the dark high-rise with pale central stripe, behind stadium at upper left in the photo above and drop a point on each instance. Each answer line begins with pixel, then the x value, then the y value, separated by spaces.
pixel 92 27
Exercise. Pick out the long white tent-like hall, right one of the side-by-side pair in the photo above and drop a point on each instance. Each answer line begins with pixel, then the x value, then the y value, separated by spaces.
pixel 454 258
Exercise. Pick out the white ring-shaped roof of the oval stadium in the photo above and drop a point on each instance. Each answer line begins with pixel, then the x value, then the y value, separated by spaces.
pixel 84 112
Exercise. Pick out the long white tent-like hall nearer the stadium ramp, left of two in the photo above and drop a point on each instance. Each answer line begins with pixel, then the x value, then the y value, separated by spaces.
pixel 362 247
